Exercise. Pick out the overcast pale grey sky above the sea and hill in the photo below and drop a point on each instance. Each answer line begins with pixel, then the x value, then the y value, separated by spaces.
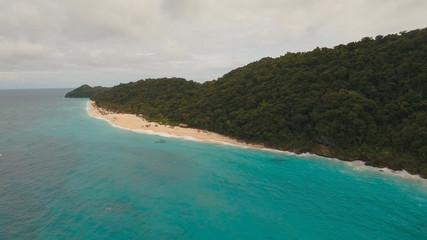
pixel 67 43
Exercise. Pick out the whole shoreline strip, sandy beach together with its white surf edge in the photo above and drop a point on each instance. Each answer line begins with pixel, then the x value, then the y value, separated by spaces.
pixel 140 125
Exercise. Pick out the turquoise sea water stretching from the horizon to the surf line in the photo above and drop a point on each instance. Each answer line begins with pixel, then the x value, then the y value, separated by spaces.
pixel 67 175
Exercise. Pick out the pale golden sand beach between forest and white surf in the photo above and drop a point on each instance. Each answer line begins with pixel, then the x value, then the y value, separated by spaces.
pixel 134 122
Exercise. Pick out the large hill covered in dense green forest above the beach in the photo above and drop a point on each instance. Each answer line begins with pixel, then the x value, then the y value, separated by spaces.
pixel 363 100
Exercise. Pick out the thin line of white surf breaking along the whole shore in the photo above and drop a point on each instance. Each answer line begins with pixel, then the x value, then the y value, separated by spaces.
pixel 357 165
